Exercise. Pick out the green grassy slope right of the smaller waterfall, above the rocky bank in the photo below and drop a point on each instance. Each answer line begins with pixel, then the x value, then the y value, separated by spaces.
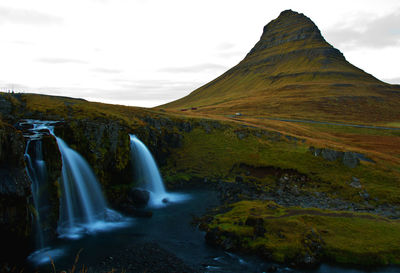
pixel 214 155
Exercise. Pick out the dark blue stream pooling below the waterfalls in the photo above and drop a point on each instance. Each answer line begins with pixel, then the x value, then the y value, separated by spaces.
pixel 170 227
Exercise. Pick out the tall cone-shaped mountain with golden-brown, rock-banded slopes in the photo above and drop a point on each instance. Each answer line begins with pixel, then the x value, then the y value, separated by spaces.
pixel 293 72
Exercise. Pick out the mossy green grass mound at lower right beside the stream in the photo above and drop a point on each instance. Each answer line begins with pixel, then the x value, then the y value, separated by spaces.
pixel 349 238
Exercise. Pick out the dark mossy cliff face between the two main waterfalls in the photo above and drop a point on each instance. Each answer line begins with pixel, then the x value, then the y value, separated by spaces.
pixel 105 145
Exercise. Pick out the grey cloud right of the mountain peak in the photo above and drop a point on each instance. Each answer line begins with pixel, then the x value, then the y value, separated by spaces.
pixel 368 32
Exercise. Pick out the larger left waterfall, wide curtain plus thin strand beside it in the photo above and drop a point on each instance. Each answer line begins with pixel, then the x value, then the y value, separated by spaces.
pixel 83 208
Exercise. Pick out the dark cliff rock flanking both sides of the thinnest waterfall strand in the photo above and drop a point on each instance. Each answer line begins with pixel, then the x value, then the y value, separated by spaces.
pixel 17 210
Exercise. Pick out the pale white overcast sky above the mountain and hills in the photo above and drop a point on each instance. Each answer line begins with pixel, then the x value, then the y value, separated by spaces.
pixel 149 52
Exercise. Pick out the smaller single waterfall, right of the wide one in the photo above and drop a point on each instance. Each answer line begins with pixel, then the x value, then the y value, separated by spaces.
pixel 148 176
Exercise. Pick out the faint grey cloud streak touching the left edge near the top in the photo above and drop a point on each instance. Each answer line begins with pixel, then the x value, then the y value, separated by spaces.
pixel 26 16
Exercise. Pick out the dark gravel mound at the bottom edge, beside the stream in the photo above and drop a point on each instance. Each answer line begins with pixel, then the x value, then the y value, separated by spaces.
pixel 146 257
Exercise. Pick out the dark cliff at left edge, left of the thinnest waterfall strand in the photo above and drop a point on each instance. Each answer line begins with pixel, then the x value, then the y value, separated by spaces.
pixel 15 195
